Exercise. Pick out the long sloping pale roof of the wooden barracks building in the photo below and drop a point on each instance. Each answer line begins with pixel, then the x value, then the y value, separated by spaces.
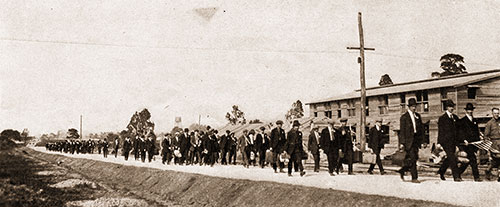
pixel 431 83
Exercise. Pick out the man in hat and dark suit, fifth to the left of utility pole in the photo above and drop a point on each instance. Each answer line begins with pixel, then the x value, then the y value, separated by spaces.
pixel 277 141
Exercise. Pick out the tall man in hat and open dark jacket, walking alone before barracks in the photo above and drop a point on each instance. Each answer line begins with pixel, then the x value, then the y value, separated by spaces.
pixel 411 138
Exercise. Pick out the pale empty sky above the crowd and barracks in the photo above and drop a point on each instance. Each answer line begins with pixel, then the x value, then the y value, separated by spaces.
pixel 105 60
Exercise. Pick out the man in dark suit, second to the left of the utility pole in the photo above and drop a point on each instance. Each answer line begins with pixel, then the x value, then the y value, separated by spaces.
pixel 330 145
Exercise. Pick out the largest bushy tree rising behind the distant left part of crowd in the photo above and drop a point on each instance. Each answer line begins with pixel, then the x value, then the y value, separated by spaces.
pixel 140 124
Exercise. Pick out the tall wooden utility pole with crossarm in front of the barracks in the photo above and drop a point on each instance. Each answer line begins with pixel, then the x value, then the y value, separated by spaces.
pixel 361 61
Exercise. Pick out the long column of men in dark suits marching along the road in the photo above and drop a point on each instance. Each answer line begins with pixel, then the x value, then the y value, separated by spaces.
pixel 260 148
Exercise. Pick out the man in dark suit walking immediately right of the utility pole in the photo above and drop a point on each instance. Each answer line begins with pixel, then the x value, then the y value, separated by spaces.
pixel 376 143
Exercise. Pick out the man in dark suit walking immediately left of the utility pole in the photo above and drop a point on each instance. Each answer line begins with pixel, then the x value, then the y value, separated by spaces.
pixel 346 145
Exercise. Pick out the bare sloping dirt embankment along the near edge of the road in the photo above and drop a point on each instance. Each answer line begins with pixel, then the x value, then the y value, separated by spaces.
pixel 185 189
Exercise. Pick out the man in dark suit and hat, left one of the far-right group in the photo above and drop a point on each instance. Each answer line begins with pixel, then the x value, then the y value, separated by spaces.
pixel 449 140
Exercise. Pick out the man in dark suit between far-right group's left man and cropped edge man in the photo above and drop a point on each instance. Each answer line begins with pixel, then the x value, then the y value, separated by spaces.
pixel 469 132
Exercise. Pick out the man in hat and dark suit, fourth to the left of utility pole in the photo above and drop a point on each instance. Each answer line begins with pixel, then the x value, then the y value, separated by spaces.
pixel 294 148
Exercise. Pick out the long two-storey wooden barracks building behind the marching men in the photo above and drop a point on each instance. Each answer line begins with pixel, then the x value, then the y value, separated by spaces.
pixel 389 102
